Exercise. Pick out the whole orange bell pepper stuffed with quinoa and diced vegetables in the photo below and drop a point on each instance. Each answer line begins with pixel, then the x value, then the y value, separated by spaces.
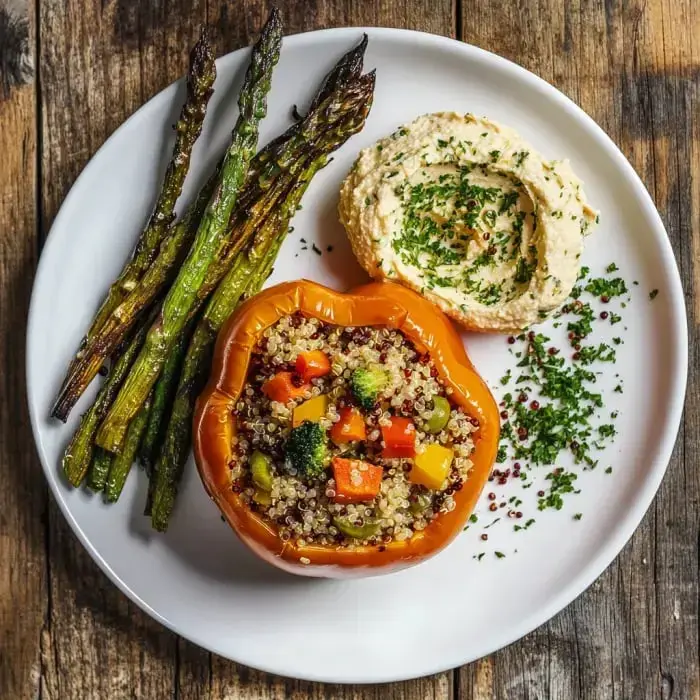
pixel 344 434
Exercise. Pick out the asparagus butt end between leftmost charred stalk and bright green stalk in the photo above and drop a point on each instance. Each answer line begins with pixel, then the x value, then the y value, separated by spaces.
pixel 78 454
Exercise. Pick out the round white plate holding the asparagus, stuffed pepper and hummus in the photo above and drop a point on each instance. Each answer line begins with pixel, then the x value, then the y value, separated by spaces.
pixel 198 580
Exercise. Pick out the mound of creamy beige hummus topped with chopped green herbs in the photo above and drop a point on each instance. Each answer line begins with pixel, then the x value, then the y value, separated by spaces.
pixel 470 215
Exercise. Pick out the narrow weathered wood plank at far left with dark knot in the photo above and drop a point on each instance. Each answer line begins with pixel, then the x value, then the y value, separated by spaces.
pixel 22 493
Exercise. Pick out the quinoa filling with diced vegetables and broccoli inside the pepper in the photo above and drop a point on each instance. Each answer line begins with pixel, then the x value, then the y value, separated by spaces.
pixel 347 436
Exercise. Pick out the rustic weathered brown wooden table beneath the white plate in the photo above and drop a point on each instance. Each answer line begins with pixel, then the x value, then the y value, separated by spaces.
pixel 65 632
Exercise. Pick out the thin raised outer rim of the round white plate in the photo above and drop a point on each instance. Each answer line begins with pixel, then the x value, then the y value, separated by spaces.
pixel 626 526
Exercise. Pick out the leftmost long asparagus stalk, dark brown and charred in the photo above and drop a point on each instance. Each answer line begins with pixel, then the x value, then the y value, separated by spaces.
pixel 200 79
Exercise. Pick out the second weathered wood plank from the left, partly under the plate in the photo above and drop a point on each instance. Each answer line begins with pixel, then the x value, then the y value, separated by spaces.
pixel 99 63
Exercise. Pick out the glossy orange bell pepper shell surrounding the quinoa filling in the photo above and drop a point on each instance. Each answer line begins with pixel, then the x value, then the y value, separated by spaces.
pixel 383 304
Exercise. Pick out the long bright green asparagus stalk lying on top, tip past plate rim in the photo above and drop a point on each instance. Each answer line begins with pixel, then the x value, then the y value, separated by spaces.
pixel 183 295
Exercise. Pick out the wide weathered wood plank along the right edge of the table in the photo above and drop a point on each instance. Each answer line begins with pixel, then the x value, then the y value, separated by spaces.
pixel 633 67
